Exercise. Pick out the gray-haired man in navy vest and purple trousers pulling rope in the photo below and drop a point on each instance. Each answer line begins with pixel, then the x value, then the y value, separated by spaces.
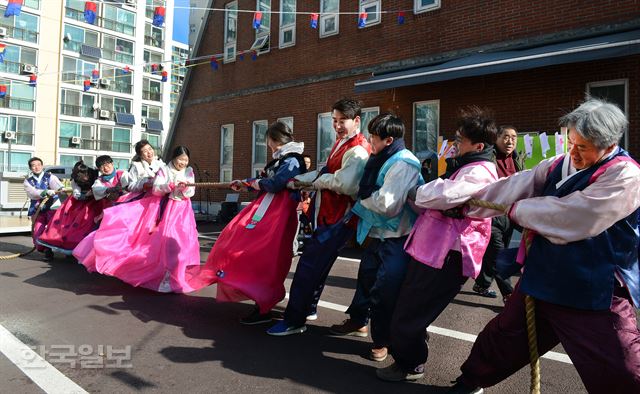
pixel 581 210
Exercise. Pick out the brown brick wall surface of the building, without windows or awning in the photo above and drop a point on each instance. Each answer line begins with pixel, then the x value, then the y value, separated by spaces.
pixel 304 80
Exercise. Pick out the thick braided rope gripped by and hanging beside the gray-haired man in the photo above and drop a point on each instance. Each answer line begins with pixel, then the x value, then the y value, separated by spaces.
pixel 534 358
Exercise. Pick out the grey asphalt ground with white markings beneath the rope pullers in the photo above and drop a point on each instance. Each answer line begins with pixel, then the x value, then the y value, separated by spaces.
pixel 191 343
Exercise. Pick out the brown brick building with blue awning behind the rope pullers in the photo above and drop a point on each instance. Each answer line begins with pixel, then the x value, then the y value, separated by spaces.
pixel 529 62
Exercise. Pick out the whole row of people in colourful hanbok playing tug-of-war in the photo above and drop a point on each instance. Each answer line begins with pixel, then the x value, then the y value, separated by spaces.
pixel 421 241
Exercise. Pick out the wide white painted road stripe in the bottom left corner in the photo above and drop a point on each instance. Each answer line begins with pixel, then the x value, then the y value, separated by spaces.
pixel 45 375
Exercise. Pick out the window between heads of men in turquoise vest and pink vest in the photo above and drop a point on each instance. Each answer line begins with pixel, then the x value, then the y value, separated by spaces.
pixel 426 122
